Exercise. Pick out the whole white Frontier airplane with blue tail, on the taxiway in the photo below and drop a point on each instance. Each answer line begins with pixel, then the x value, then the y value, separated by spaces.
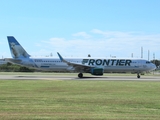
pixel 95 66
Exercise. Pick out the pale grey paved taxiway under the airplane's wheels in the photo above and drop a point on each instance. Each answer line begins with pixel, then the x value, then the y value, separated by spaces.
pixel 71 77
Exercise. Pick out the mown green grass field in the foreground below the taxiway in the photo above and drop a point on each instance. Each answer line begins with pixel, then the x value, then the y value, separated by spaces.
pixel 80 100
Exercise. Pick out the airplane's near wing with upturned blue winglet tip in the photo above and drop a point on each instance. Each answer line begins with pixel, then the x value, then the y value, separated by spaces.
pixel 77 66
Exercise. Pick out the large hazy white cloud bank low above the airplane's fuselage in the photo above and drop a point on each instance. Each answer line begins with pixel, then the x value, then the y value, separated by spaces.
pixel 115 43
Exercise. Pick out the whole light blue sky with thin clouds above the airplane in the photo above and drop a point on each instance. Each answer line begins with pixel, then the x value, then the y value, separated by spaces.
pixel 102 28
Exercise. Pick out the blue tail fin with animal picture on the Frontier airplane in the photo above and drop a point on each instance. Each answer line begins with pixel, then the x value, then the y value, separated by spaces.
pixel 17 51
